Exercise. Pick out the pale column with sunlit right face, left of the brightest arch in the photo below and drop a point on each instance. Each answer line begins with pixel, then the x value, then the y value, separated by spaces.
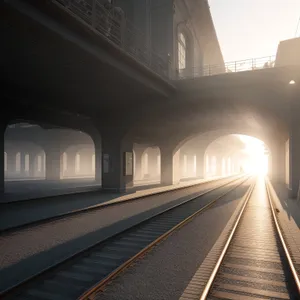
pixel 170 166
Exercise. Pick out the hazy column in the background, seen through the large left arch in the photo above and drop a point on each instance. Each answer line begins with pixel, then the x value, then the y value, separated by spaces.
pixel 53 163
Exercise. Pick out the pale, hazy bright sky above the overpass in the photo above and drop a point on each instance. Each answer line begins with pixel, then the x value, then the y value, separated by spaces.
pixel 253 28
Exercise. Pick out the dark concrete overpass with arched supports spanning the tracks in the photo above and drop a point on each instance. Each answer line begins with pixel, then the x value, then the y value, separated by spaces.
pixel 80 65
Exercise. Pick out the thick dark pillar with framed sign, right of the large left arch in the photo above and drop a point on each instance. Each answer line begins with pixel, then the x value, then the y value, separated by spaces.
pixel 114 163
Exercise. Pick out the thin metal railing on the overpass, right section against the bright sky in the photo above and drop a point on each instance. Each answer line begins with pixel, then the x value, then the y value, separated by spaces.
pixel 230 67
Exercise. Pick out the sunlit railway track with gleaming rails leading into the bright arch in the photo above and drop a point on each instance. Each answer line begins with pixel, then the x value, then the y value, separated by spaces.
pixel 255 262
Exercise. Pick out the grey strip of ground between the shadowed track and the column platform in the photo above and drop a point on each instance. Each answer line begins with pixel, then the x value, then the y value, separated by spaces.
pixel 27 251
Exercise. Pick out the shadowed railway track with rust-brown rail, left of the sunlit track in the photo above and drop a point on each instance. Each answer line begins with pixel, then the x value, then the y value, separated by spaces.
pixel 88 271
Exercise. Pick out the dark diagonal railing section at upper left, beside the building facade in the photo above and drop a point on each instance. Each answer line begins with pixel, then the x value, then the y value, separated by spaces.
pixel 111 23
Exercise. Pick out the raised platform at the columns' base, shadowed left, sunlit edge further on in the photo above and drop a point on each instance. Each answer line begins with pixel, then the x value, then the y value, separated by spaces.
pixel 19 213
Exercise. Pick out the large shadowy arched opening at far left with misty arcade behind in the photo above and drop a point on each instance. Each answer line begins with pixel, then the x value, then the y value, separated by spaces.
pixel 46 155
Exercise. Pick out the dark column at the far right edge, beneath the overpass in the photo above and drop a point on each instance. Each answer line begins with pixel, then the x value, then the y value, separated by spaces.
pixel 294 143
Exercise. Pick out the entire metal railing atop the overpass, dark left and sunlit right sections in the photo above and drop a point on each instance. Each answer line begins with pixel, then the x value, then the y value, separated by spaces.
pixel 111 23
